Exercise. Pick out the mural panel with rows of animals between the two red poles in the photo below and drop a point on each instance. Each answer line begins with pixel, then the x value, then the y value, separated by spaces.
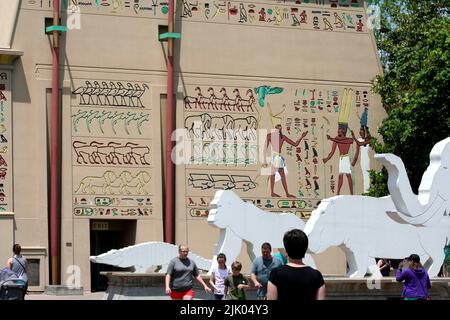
pixel 112 150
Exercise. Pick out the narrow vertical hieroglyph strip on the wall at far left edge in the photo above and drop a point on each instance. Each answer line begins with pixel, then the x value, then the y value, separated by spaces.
pixel 6 197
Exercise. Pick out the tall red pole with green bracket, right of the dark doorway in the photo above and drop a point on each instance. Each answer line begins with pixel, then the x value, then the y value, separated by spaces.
pixel 170 190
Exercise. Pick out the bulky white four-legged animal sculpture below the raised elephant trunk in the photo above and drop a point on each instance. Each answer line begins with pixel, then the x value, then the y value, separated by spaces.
pixel 360 226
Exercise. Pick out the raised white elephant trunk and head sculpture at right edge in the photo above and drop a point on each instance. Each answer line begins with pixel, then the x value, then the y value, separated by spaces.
pixel 433 201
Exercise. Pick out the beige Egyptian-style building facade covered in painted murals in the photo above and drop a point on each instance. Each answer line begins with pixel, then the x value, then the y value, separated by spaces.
pixel 241 68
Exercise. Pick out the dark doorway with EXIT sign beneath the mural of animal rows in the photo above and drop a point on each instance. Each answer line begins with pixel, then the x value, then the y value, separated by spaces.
pixel 106 235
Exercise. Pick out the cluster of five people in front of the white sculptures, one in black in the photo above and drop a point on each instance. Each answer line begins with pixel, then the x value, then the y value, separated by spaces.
pixel 276 277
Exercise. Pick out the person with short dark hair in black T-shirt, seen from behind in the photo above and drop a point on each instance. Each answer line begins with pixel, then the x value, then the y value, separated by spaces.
pixel 295 280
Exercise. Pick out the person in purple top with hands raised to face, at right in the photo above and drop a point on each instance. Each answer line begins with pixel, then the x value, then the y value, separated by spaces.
pixel 415 277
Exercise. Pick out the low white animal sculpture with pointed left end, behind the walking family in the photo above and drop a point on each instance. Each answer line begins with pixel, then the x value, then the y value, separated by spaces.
pixel 144 255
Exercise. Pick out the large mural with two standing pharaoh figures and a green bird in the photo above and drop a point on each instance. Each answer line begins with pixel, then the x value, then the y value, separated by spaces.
pixel 234 145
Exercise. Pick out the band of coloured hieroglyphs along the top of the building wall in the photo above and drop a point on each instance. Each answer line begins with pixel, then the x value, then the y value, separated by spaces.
pixel 325 15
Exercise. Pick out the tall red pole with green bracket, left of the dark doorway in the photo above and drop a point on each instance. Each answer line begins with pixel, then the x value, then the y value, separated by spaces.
pixel 54 154
